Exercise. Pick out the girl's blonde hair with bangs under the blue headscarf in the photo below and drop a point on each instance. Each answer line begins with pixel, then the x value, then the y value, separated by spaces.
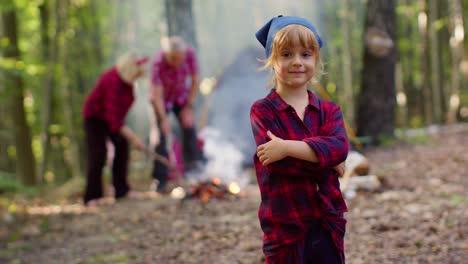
pixel 288 37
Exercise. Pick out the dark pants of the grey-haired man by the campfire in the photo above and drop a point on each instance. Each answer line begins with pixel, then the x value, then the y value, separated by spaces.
pixel 192 153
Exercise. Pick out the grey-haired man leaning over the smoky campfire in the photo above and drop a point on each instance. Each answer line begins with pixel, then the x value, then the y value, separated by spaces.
pixel 174 86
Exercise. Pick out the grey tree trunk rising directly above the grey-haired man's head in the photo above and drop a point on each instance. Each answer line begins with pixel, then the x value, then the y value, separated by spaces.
pixel 180 21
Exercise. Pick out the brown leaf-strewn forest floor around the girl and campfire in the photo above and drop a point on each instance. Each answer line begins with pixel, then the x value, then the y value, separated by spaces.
pixel 419 215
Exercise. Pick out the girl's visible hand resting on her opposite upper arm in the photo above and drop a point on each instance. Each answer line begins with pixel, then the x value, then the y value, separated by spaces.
pixel 272 151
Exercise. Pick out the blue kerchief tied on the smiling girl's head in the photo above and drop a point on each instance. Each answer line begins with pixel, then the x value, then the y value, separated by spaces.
pixel 266 34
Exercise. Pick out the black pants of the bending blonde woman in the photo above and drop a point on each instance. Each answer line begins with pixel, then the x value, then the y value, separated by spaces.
pixel 97 133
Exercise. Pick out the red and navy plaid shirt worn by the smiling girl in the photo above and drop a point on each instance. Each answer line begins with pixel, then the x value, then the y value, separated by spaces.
pixel 294 191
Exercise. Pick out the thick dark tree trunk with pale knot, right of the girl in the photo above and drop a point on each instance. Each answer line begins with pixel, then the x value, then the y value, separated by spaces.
pixel 376 116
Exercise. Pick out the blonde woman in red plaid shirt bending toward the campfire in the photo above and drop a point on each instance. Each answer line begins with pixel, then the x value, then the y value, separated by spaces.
pixel 104 115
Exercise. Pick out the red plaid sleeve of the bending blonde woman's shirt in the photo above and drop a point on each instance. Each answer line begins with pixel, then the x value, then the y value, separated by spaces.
pixel 114 114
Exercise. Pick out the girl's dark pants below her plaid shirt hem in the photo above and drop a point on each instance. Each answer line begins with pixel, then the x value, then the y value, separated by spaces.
pixel 317 247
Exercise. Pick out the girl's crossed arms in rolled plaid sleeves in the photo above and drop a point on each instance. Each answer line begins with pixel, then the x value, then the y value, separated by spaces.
pixel 328 150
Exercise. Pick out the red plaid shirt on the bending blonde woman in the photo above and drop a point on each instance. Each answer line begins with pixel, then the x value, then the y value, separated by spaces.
pixel 110 100
